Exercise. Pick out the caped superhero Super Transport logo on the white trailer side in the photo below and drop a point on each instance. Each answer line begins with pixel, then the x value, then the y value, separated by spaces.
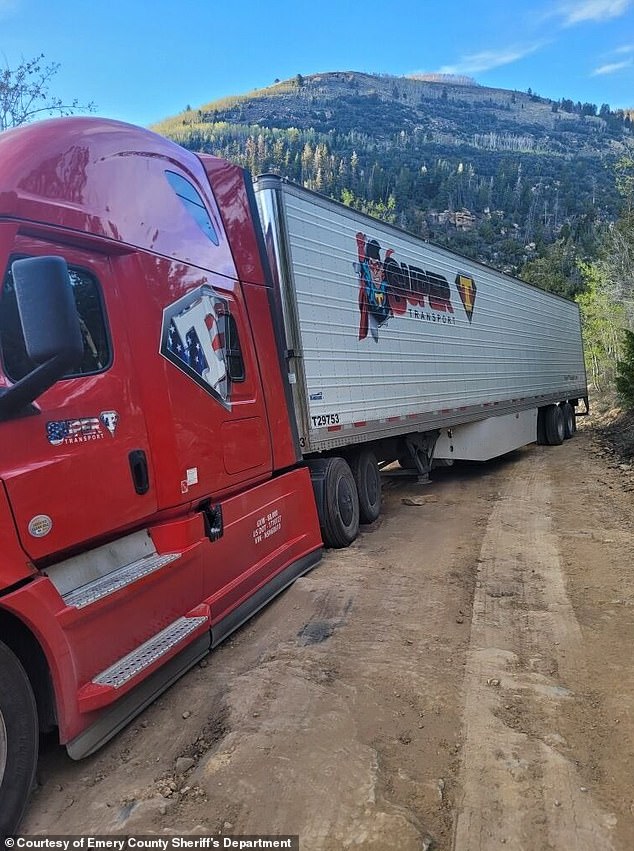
pixel 389 288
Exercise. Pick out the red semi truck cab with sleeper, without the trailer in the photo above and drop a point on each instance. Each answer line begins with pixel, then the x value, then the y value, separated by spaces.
pixel 151 493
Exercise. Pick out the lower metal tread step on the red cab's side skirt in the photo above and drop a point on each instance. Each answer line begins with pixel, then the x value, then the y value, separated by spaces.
pixel 120 677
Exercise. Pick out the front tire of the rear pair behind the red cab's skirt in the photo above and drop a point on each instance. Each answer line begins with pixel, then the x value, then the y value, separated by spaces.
pixel 339 513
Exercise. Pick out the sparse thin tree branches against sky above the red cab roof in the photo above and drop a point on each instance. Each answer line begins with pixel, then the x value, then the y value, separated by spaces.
pixel 25 93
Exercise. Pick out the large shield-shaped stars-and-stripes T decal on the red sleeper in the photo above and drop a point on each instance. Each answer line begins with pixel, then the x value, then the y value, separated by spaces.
pixel 193 339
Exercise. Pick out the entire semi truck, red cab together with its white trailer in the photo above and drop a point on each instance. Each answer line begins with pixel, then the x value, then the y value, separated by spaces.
pixel 199 382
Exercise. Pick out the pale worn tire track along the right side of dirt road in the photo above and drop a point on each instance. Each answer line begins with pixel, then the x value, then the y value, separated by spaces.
pixel 520 786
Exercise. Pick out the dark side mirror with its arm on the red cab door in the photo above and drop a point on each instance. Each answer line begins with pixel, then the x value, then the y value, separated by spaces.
pixel 50 326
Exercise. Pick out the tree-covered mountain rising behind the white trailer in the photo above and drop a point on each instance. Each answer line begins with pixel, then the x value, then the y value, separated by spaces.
pixel 499 175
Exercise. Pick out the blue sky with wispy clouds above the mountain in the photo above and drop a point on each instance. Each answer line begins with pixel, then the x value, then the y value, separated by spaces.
pixel 141 62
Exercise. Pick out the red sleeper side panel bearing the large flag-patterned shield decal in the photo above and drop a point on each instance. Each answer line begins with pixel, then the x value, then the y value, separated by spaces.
pixel 206 415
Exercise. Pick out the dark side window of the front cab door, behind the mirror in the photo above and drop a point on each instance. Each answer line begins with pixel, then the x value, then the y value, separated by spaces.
pixel 96 356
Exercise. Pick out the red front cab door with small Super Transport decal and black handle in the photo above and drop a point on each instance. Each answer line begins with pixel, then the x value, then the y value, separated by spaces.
pixel 79 466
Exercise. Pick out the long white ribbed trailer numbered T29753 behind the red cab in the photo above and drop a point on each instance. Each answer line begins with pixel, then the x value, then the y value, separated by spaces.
pixel 408 351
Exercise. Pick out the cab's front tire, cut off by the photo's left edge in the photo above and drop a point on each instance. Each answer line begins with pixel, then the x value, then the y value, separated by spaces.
pixel 18 741
